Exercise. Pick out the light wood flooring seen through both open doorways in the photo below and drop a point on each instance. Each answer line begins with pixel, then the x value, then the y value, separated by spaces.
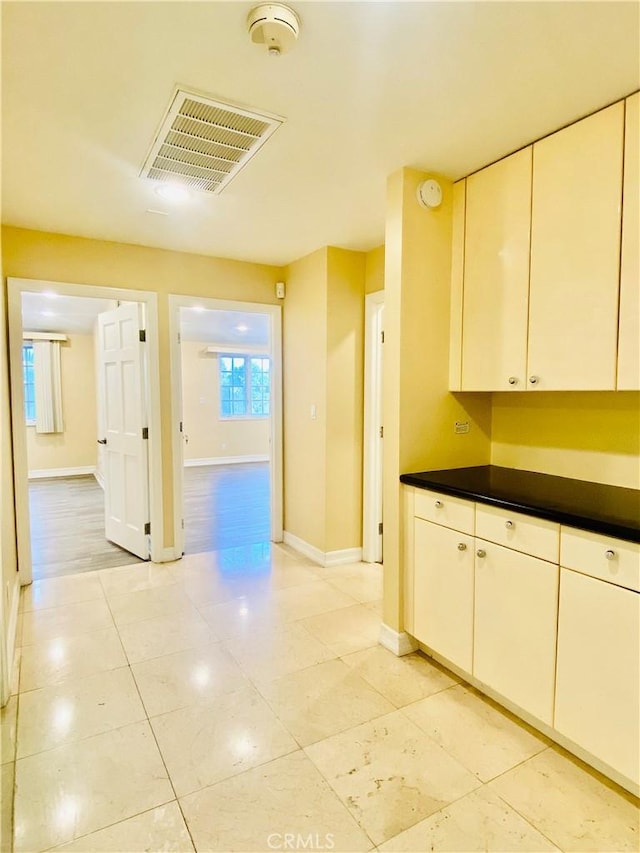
pixel 225 506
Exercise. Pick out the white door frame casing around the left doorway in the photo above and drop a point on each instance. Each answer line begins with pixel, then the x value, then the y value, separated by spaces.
pixel 15 288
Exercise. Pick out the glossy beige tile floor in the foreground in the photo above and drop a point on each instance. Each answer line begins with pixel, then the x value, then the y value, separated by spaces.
pixel 217 705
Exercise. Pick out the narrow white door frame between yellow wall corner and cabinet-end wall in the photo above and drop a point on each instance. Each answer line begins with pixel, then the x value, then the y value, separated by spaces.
pixel 372 463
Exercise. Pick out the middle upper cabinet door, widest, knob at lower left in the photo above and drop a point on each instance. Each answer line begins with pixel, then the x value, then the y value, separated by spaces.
pixel 575 255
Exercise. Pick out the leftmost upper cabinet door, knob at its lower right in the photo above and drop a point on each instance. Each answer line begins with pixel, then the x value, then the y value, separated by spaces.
pixel 496 275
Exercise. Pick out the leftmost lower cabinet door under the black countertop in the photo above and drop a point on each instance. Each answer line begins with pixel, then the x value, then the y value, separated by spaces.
pixel 443 591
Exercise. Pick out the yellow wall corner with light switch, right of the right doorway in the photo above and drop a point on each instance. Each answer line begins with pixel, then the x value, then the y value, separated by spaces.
pixel 323 367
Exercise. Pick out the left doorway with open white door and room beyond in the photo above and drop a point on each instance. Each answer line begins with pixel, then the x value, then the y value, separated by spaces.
pixel 82 414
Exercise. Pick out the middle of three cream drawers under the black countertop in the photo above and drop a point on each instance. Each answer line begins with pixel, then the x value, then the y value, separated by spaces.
pixel 534 536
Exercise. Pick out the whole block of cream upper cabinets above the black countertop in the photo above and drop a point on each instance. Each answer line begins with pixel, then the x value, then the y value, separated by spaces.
pixel 545 292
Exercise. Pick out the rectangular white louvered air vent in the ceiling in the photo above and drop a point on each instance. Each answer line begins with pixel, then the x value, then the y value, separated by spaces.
pixel 203 143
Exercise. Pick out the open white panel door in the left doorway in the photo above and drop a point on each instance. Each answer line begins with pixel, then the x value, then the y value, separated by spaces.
pixel 126 477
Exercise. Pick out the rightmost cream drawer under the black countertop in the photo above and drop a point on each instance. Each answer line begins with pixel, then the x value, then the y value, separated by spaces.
pixel 601 557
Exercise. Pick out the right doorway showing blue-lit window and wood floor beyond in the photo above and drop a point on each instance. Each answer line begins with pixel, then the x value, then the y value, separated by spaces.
pixel 227 392
